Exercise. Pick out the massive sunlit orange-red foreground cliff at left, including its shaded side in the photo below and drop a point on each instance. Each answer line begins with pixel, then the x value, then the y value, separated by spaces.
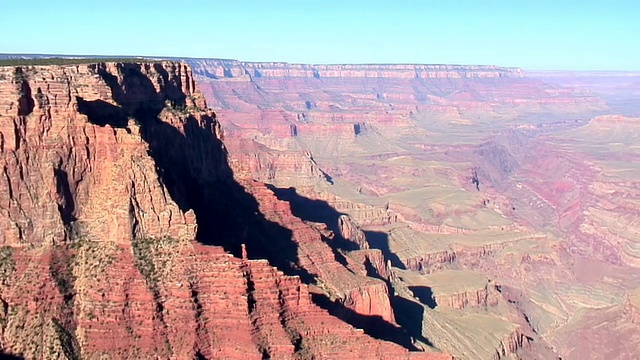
pixel 109 173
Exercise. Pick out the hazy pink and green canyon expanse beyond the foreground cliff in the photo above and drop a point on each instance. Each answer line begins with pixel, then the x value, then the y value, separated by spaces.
pixel 502 200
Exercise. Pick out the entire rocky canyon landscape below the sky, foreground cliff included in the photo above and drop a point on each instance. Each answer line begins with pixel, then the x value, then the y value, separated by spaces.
pixel 220 209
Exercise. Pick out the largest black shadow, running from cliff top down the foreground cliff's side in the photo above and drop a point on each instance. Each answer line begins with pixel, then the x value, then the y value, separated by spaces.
pixel 191 162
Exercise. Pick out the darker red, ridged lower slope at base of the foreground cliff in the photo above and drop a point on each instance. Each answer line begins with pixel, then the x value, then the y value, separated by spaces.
pixel 167 298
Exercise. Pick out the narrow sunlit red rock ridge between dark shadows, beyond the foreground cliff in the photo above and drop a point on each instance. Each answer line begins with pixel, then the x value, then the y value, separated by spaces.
pixel 320 258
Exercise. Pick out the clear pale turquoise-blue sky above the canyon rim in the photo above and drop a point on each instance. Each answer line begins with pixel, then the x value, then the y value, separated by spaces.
pixel 532 34
